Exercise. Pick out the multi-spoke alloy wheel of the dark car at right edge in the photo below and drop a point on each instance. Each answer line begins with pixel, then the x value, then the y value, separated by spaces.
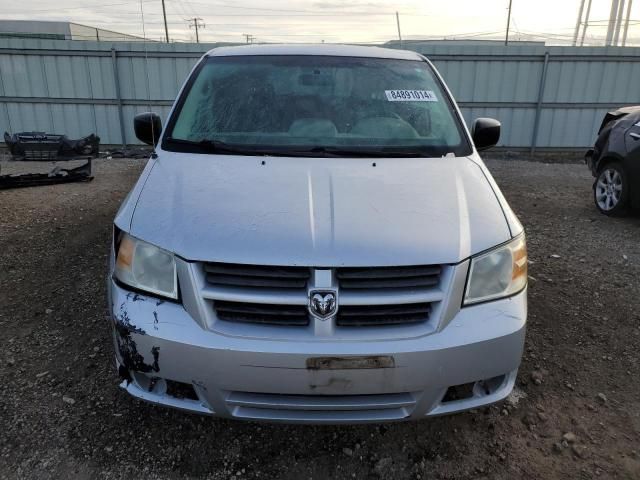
pixel 611 190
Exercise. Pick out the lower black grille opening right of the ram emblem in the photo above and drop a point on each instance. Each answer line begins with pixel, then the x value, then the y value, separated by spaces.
pixel 378 315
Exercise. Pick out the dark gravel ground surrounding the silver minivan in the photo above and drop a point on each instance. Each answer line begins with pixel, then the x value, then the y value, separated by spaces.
pixel 574 414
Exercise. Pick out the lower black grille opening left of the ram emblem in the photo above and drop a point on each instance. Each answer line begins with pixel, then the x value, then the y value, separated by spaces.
pixel 291 315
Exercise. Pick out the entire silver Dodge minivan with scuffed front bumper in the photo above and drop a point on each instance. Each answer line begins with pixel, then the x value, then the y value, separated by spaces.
pixel 315 239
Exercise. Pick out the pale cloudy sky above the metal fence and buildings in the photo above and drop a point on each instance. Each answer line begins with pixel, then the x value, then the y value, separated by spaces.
pixel 332 21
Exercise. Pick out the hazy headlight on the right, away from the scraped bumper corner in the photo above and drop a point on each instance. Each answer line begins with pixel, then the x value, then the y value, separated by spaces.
pixel 498 273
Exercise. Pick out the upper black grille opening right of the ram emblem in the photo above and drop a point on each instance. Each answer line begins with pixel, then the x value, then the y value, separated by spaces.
pixel 419 277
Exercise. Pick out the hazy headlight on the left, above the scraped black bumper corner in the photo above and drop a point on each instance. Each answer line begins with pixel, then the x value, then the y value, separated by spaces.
pixel 146 267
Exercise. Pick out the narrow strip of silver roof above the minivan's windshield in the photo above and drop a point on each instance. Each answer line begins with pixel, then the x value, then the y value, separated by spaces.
pixel 322 49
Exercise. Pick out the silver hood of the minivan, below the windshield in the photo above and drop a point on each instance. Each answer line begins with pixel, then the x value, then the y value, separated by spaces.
pixel 318 211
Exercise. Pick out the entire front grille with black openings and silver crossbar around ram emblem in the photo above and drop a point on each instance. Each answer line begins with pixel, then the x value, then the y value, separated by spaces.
pixel 279 295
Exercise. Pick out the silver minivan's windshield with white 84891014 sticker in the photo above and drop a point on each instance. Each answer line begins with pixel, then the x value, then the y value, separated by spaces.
pixel 295 104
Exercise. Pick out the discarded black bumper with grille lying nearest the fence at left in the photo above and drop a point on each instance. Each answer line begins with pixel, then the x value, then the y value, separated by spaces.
pixel 47 147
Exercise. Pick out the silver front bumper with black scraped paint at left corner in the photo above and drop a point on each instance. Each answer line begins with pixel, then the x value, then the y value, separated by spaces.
pixel 161 350
